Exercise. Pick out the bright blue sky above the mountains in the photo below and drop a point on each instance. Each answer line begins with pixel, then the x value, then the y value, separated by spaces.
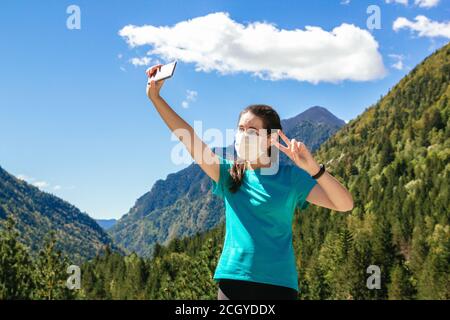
pixel 74 117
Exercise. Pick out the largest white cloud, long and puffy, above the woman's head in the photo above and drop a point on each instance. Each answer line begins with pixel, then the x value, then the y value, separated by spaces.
pixel 215 42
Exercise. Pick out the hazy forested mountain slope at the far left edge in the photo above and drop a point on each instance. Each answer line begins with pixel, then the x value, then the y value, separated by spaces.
pixel 38 213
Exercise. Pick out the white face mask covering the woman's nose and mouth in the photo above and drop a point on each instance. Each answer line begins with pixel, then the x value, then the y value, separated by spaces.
pixel 249 146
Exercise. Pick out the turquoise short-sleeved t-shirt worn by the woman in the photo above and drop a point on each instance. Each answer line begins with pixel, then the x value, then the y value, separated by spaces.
pixel 258 224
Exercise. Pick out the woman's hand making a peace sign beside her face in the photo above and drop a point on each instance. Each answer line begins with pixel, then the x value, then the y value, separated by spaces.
pixel 297 152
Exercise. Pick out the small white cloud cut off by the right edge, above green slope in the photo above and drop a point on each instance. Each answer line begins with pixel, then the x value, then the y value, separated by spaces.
pixel 423 26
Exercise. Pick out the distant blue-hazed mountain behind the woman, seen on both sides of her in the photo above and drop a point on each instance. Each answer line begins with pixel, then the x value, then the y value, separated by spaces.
pixel 183 205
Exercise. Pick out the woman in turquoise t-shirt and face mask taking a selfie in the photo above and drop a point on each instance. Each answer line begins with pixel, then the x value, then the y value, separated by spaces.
pixel 257 261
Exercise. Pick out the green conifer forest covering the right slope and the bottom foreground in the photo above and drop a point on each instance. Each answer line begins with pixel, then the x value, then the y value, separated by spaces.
pixel 394 159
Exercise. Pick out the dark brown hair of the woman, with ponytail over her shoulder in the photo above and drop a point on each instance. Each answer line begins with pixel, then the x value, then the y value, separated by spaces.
pixel 270 120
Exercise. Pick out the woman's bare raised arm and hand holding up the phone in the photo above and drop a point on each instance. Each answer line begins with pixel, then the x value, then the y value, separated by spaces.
pixel 200 151
